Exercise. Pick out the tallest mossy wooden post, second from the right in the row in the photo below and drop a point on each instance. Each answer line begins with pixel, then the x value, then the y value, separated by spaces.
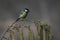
pixel 40 30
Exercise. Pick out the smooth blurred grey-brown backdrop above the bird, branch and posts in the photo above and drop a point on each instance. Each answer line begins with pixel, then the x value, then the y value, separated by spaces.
pixel 45 10
